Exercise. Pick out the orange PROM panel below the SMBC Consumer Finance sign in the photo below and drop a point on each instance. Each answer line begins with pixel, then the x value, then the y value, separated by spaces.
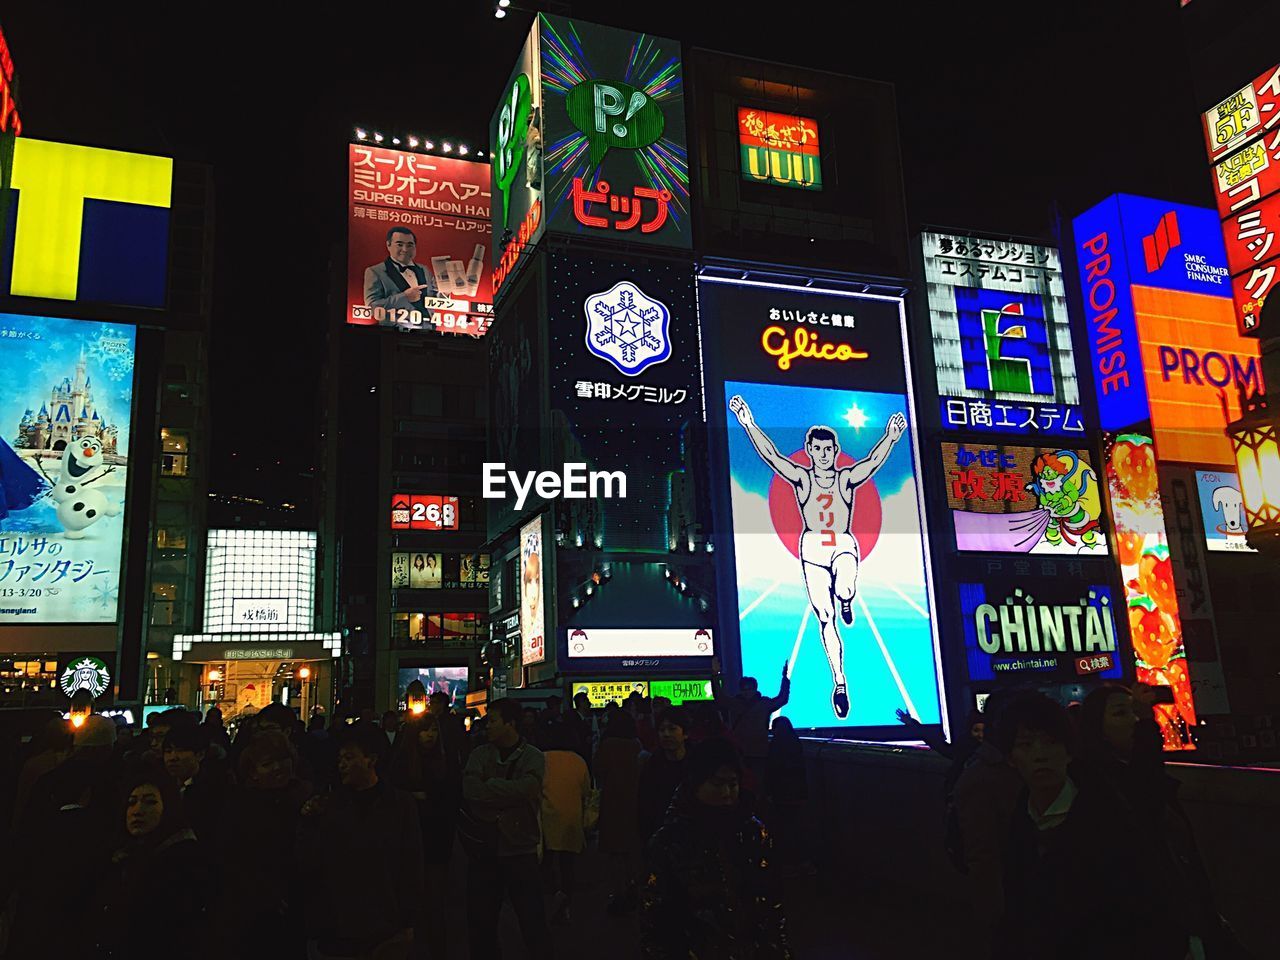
pixel 1195 363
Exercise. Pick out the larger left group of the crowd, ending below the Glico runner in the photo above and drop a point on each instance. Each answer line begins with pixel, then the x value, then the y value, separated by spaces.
pixel 335 840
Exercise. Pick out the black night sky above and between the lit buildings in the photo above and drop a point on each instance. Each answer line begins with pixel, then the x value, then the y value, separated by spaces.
pixel 1005 109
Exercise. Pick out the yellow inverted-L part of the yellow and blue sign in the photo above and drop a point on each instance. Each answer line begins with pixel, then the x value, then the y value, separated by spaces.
pixel 54 181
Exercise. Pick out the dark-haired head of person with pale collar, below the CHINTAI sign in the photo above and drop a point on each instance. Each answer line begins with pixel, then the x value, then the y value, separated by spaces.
pixel 1036 735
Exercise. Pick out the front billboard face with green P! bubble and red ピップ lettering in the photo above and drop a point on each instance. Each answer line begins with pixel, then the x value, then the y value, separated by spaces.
pixel 614 125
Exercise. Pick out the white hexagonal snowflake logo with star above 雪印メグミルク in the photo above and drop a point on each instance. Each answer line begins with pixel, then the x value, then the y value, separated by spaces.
pixel 628 328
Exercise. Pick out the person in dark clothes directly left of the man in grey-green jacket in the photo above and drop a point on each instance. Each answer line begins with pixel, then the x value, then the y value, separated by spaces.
pixel 422 767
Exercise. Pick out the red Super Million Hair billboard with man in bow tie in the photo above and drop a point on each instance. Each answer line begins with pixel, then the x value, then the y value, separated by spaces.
pixel 418 241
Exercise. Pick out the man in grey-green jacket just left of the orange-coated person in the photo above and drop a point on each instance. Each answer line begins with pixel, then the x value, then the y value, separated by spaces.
pixel 504 787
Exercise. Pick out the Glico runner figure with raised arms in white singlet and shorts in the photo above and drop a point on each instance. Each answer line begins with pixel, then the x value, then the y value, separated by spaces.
pixel 829 552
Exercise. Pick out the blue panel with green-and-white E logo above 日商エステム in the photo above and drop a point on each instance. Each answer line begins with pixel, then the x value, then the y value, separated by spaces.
pixel 1004 344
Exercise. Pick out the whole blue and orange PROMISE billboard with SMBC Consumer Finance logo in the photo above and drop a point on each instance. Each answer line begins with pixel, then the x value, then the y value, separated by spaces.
pixel 1163 336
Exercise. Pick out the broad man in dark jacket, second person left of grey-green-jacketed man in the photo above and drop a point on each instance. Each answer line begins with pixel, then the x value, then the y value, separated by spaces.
pixel 362 847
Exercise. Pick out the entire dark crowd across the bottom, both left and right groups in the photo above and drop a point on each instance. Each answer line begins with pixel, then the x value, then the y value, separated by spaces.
pixel 337 840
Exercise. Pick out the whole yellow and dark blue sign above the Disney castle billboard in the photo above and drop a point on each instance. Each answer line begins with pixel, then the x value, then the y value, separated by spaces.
pixel 92 225
